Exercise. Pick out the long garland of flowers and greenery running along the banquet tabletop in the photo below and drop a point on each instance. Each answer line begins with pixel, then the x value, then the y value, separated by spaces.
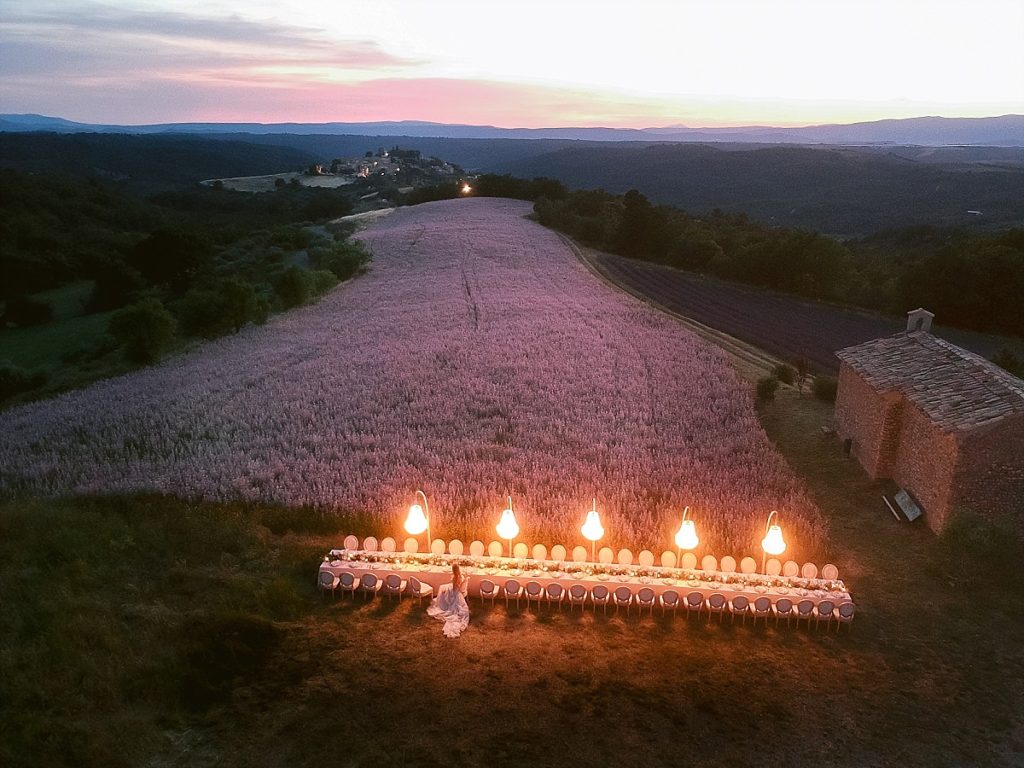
pixel 517 567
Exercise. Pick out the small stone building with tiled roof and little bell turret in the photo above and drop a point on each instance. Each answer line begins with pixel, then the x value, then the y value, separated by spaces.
pixel 944 423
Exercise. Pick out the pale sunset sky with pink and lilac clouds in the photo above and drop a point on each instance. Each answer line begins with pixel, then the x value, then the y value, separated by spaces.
pixel 522 64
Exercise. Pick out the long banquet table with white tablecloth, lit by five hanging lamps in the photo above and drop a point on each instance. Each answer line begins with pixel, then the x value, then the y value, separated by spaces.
pixel 439 575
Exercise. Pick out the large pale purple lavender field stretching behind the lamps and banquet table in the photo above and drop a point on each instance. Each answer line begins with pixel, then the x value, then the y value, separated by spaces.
pixel 477 359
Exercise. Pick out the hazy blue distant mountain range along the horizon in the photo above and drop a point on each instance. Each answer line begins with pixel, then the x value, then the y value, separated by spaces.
pixel 1007 131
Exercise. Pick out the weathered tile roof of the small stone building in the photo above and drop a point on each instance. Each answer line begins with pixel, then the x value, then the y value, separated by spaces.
pixel 958 390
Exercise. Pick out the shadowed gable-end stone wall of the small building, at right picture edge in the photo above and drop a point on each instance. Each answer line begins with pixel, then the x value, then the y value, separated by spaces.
pixel 991 477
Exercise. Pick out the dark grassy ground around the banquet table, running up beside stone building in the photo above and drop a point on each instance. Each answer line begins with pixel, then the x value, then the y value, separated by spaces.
pixel 152 632
